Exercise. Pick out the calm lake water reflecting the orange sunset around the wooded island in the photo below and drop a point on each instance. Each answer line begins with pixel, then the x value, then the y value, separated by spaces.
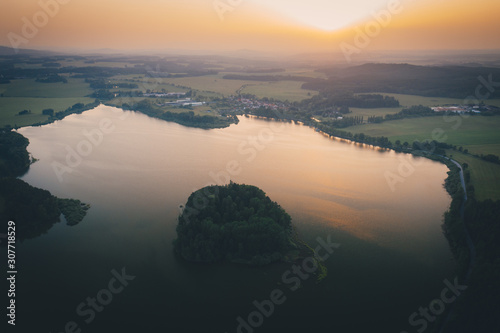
pixel 393 256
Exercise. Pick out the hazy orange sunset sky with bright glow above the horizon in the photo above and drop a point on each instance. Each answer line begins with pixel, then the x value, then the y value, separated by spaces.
pixel 260 25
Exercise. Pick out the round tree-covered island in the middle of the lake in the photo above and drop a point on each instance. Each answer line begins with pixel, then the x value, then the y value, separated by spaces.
pixel 236 223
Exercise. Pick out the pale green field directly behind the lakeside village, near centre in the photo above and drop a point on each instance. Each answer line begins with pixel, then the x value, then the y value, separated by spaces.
pixel 281 90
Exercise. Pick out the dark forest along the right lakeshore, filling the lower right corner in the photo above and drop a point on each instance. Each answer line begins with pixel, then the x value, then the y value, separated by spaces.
pixel 477 310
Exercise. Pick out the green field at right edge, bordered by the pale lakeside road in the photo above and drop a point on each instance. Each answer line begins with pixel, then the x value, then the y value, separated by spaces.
pixel 485 176
